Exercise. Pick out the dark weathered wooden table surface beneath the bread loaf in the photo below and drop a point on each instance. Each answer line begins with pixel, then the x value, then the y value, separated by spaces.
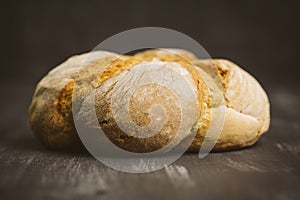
pixel 268 170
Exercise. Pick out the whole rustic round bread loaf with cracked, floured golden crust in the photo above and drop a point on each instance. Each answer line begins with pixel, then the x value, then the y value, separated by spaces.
pixel 215 83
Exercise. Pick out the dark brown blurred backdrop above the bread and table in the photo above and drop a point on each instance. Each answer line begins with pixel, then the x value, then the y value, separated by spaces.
pixel 261 36
